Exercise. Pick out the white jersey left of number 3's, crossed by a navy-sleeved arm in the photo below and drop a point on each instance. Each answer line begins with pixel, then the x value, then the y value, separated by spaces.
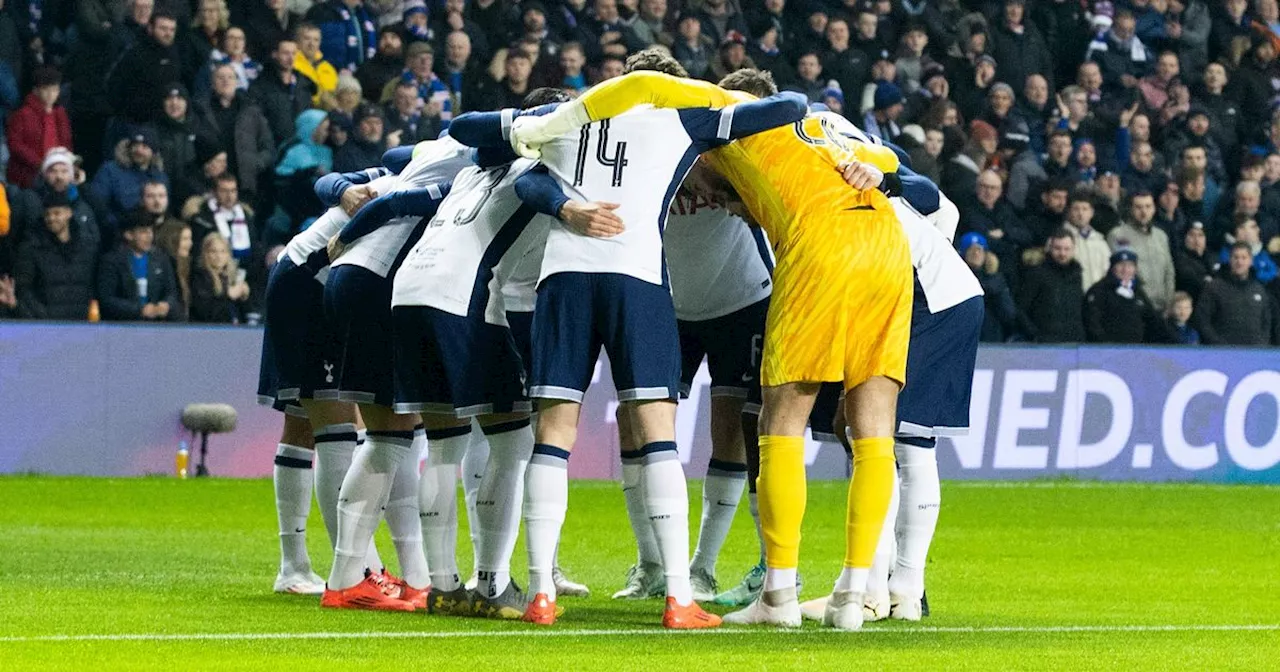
pixel 432 164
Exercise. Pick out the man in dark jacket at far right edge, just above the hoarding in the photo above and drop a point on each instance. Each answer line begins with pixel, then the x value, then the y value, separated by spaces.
pixel 1235 309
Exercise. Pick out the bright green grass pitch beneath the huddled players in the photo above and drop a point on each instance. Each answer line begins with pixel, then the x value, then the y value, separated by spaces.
pixel 158 574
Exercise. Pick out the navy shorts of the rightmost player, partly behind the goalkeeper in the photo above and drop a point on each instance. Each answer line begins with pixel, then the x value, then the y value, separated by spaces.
pixel 940 364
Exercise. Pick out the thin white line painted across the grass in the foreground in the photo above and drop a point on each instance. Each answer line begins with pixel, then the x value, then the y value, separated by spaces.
pixel 580 633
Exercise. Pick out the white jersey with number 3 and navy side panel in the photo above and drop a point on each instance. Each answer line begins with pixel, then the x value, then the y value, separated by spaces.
pixel 461 262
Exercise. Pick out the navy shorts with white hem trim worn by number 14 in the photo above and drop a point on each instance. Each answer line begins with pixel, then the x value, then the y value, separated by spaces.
pixel 633 321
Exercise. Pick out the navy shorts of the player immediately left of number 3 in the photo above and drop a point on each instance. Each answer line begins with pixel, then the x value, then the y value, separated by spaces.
pixel 359 305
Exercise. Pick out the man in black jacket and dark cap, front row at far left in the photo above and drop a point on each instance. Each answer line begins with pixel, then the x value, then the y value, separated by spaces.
pixel 54 271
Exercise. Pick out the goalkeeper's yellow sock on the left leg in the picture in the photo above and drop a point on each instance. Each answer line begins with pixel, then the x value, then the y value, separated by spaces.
pixel 781 492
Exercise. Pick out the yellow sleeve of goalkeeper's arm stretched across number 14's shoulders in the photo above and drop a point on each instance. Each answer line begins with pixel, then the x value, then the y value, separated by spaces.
pixel 647 88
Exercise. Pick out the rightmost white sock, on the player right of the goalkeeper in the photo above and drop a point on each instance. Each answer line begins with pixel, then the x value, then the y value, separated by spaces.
pixel 917 518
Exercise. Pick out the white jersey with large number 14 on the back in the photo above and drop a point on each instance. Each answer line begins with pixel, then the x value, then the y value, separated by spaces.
pixel 638 161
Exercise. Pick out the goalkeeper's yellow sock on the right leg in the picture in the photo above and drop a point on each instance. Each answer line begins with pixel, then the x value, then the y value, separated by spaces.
pixel 870 493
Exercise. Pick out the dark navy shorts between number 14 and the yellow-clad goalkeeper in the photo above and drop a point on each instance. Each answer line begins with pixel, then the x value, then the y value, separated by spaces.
pixel 732 345
